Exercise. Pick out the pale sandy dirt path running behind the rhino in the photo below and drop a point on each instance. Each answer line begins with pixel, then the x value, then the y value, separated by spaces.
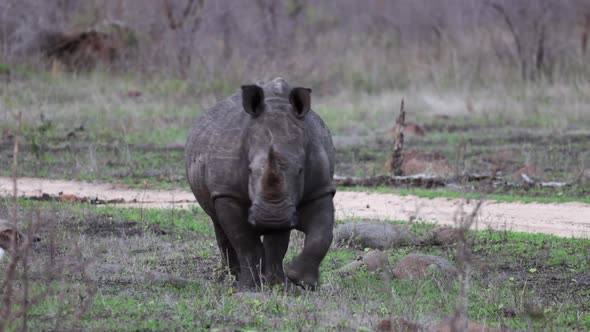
pixel 564 219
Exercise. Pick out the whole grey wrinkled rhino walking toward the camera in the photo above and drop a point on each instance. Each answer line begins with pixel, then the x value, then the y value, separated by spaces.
pixel 261 162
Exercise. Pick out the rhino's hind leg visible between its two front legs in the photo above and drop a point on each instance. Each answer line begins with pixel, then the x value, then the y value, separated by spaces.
pixel 275 248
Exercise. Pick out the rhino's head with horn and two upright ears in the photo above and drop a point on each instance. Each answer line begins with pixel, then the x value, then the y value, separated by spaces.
pixel 276 155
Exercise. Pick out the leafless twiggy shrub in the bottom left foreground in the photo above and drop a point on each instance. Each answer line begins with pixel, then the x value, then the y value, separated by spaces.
pixel 28 280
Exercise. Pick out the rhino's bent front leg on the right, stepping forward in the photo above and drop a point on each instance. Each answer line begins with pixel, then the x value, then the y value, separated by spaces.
pixel 317 222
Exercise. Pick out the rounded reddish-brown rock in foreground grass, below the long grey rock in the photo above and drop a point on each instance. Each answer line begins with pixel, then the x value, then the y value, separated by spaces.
pixel 417 266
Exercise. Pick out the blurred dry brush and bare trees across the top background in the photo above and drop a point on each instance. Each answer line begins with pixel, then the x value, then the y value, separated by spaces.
pixel 368 46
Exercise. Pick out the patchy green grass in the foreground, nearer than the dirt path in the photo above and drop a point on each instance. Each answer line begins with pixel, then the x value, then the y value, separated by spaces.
pixel 512 272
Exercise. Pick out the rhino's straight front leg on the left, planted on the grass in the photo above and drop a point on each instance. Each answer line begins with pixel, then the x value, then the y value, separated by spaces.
pixel 232 217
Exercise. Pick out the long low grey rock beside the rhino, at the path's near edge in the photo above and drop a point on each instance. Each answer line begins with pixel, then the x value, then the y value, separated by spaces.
pixel 375 235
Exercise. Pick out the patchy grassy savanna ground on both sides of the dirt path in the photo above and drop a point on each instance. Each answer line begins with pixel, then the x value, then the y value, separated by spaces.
pixel 158 269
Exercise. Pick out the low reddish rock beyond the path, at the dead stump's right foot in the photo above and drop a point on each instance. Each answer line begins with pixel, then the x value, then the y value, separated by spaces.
pixel 426 163
